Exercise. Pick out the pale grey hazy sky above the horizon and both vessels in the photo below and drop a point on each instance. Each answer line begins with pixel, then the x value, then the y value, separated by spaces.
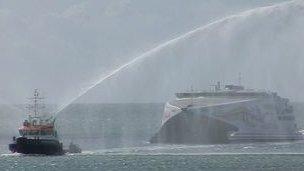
pixel 62 47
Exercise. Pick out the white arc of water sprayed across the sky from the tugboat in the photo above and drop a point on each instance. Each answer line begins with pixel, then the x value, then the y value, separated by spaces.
pixel 162 46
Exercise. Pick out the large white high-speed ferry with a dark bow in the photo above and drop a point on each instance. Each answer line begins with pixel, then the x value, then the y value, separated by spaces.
pixel 226 115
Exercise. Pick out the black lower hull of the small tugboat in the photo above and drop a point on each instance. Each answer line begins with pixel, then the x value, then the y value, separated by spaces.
pixel 36 146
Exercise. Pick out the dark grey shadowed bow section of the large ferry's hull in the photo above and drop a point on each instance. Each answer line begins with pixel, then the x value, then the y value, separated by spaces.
pixel 188 128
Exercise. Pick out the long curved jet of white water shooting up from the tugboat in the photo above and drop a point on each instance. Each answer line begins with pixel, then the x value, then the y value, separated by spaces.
pixel 192 34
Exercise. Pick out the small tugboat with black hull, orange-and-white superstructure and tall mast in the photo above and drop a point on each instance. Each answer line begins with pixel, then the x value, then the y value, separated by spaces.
pixel 37 134
